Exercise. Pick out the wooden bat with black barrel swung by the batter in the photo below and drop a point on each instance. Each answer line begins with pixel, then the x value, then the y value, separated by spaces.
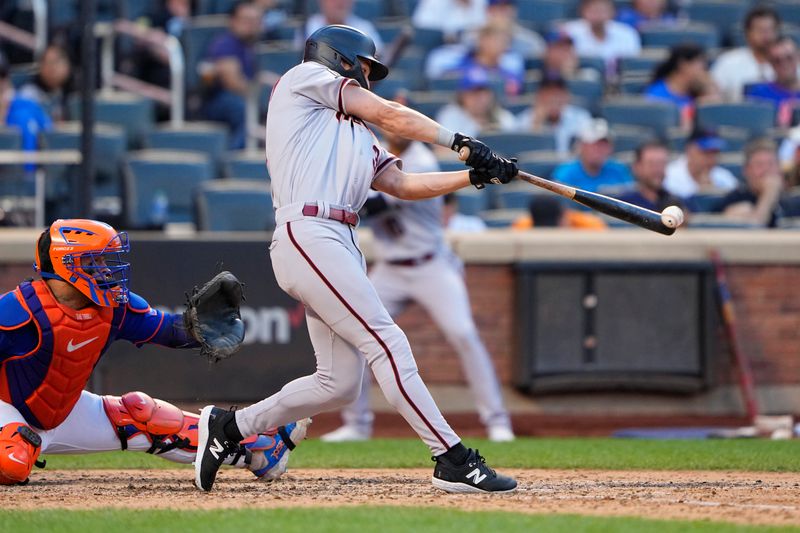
pixel 633 214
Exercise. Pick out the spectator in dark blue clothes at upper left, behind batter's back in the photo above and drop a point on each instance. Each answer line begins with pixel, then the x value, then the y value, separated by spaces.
pixel 233 60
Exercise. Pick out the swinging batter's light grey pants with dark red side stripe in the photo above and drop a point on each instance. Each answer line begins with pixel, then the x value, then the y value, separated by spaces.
pixel 317 261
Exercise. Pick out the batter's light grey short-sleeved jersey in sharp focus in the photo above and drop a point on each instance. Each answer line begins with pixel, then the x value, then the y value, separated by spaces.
pixel 315 150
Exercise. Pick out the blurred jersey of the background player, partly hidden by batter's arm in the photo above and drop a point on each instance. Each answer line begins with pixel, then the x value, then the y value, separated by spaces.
pixel 410 230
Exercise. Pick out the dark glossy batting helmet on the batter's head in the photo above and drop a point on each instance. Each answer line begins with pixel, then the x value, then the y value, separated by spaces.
pixel 332 44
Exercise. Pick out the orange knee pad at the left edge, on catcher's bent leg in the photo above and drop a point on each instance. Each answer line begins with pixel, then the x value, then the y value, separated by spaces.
pixel 19 451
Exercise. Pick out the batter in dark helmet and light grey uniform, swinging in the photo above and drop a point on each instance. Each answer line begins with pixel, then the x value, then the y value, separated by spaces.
pixel 323 160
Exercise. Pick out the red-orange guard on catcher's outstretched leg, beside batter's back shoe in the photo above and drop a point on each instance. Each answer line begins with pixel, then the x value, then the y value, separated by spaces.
pixel 164 425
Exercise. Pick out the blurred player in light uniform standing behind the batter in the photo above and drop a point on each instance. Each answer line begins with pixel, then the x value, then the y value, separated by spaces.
pixel 416 264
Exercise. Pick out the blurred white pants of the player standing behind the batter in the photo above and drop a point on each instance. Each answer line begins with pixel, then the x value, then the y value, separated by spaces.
pixel 438 286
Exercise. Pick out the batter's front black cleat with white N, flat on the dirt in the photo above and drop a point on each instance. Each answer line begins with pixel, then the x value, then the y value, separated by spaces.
pixel 471 477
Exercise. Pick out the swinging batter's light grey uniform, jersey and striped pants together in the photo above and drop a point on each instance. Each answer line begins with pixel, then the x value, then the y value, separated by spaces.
pixel 317 153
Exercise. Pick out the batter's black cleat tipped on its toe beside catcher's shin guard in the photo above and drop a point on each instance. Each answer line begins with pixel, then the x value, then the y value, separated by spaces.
pixel 213 446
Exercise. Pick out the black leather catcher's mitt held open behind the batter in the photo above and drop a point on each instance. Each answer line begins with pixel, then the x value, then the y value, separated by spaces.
pixel 212 316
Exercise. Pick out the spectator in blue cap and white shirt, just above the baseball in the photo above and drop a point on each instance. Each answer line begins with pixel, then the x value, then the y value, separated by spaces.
pixel 697 170
